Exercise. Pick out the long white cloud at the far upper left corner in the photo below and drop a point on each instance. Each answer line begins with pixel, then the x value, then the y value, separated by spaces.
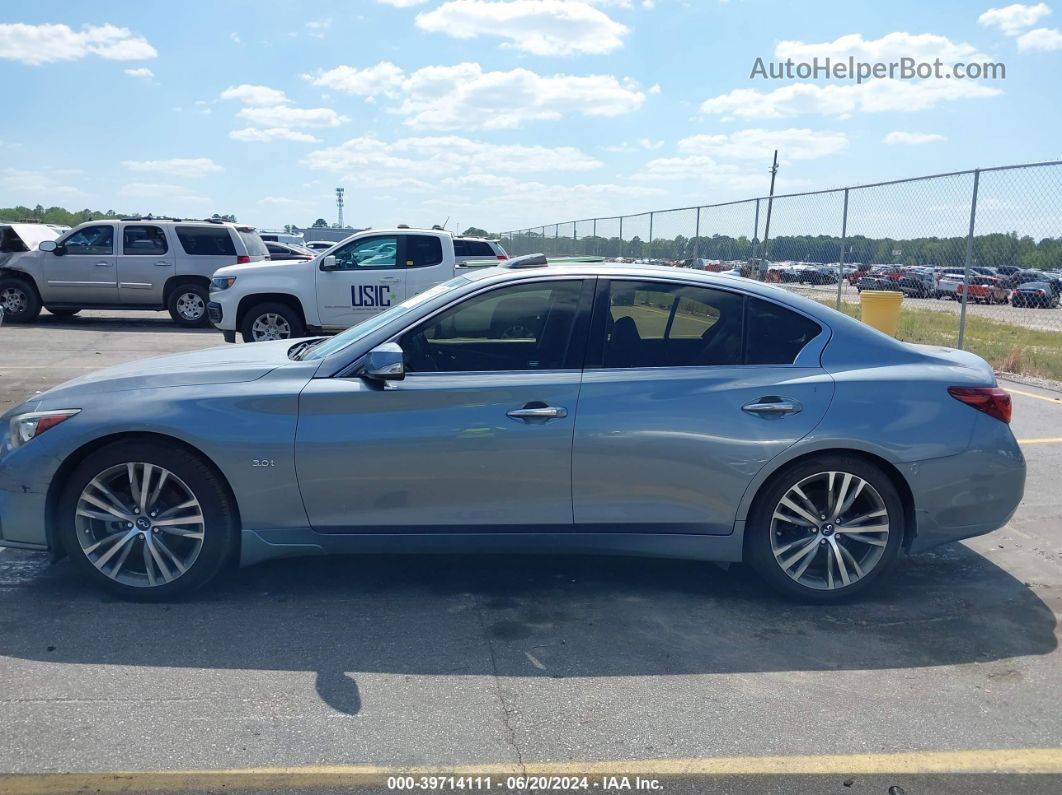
pixel 43 44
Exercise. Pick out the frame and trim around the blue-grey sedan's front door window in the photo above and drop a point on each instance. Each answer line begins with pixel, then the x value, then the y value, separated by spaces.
pixel 578 337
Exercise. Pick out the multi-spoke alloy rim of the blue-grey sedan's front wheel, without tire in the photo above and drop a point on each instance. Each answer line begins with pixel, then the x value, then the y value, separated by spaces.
pixel 140 525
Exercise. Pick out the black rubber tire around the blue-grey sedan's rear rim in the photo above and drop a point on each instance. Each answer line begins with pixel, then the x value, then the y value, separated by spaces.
pixel 758 540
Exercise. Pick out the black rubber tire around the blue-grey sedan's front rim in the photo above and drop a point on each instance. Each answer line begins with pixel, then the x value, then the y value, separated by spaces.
pixel 220 523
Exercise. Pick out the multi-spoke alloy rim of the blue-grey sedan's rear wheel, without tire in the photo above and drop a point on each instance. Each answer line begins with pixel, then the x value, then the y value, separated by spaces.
pixel 830 531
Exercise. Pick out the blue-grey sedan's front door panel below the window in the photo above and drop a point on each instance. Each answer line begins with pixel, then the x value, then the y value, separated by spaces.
pixel 437 452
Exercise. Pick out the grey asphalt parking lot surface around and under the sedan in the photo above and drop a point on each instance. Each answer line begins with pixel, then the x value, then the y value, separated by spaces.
pixel 478 662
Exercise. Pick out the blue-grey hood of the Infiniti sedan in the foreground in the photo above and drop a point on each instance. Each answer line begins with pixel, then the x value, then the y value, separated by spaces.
pixel 225 365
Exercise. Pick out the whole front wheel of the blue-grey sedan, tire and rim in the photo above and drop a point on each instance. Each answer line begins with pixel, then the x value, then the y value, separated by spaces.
pixel 147 523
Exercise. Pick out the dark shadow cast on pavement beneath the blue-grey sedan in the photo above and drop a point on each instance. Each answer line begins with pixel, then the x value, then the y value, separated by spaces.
pixel 513 616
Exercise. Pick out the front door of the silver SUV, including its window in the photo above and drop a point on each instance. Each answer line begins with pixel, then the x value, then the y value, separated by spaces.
pixel 87 273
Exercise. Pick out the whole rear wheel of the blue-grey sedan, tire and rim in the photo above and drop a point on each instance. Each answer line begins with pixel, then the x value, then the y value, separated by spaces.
pixel 825 530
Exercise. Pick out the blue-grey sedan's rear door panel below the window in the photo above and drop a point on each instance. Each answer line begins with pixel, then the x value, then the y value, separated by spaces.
pixel 673 448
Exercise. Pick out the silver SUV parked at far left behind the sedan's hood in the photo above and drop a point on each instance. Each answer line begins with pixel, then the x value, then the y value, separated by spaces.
pixel 127 264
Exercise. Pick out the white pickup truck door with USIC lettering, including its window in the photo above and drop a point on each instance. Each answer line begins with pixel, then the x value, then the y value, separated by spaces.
pixel 369 280
